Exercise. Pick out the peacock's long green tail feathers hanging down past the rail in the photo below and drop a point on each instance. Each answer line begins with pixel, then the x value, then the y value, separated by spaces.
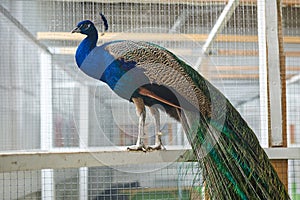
pixel 234 165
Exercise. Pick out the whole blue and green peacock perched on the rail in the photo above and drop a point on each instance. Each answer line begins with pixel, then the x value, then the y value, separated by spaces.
pixel 233 164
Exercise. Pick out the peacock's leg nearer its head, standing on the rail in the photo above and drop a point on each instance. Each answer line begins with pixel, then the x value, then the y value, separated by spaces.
pixel 141 113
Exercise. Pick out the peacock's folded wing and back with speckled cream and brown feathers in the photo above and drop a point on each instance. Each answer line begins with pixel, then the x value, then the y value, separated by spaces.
pixel 163 69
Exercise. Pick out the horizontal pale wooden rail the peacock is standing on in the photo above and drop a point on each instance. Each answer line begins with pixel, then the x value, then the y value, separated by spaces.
pixel 54 159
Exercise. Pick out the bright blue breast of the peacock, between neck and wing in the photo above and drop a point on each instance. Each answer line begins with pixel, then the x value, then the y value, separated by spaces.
pixel 121 76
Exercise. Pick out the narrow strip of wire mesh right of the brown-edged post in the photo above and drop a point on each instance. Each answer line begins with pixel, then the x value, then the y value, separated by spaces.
pixel 291 28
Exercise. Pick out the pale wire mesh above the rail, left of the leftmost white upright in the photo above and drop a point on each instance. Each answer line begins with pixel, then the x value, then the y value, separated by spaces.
pixel 19 92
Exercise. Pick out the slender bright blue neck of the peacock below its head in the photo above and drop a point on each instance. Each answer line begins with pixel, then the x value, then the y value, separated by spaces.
pixel 85 47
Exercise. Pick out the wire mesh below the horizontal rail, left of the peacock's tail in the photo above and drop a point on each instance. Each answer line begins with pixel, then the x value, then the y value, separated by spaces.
pixel 171 182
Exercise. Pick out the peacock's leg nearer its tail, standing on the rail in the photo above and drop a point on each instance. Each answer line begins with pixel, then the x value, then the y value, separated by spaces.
pixel 158 143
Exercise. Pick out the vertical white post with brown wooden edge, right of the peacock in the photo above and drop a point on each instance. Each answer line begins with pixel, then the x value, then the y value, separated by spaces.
pixel 277 85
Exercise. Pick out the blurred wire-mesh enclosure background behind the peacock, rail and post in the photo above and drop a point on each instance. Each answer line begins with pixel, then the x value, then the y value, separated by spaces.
pixel 48 104
